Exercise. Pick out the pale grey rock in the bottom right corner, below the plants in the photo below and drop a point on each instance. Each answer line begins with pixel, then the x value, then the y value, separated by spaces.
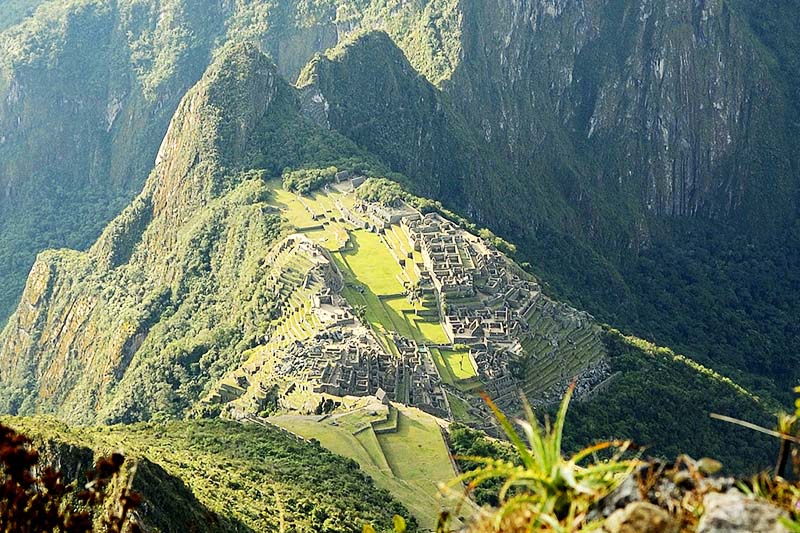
pixel 732 512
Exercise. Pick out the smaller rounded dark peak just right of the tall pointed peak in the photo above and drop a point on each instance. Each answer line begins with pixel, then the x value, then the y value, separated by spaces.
pixel 370 92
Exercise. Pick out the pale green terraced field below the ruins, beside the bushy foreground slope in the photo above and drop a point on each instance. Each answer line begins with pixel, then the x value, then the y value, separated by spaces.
pixel 410 463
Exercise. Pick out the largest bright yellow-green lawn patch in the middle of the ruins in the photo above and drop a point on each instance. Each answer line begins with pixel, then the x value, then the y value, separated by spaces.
pixel 372 264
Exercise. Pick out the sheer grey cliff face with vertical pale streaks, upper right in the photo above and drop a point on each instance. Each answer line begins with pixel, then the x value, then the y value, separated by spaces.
pixel 661 107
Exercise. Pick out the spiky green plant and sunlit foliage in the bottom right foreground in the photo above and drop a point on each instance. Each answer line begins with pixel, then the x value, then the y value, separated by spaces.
pixel 529 486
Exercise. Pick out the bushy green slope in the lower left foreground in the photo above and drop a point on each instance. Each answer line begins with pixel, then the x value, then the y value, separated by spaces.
pixel 266 481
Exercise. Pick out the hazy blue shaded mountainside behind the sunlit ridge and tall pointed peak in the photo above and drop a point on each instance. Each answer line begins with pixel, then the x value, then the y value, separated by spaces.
pixel 638 152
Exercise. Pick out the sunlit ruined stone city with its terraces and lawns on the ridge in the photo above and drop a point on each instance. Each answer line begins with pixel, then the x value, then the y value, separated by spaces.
pixel 377 297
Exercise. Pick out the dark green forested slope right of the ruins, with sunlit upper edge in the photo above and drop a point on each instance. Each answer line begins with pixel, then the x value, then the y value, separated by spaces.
pixel 649 383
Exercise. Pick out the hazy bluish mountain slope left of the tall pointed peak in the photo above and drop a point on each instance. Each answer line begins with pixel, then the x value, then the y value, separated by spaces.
pixel 88 88
